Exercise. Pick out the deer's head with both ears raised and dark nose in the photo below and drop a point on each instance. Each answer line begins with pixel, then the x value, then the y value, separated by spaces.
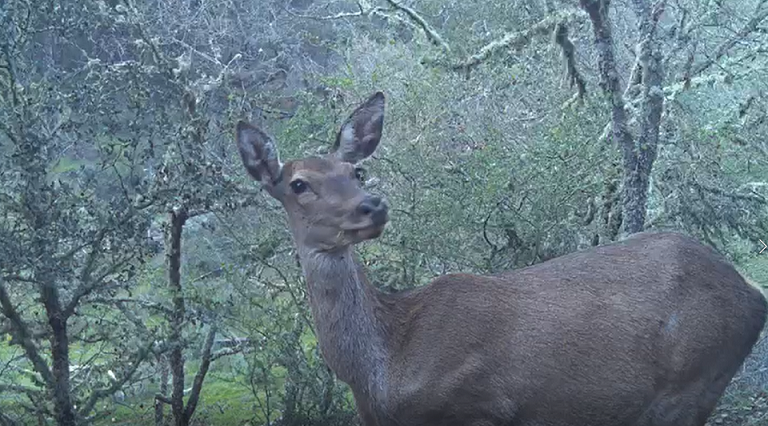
pixel 327 206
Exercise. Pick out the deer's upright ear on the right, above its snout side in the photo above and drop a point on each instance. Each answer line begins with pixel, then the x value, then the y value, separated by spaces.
pixel 361 132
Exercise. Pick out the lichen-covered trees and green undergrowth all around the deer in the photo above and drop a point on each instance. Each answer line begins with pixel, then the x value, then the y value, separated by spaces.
pixel 145 280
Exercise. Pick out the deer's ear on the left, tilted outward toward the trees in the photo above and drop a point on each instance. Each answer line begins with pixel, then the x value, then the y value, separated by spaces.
pixel 259 155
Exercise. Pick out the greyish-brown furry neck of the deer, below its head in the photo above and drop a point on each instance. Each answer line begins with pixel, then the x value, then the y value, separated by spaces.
pixel 347 312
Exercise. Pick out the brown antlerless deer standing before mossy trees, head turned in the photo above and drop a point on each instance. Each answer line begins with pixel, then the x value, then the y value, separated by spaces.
pixel 645 331
